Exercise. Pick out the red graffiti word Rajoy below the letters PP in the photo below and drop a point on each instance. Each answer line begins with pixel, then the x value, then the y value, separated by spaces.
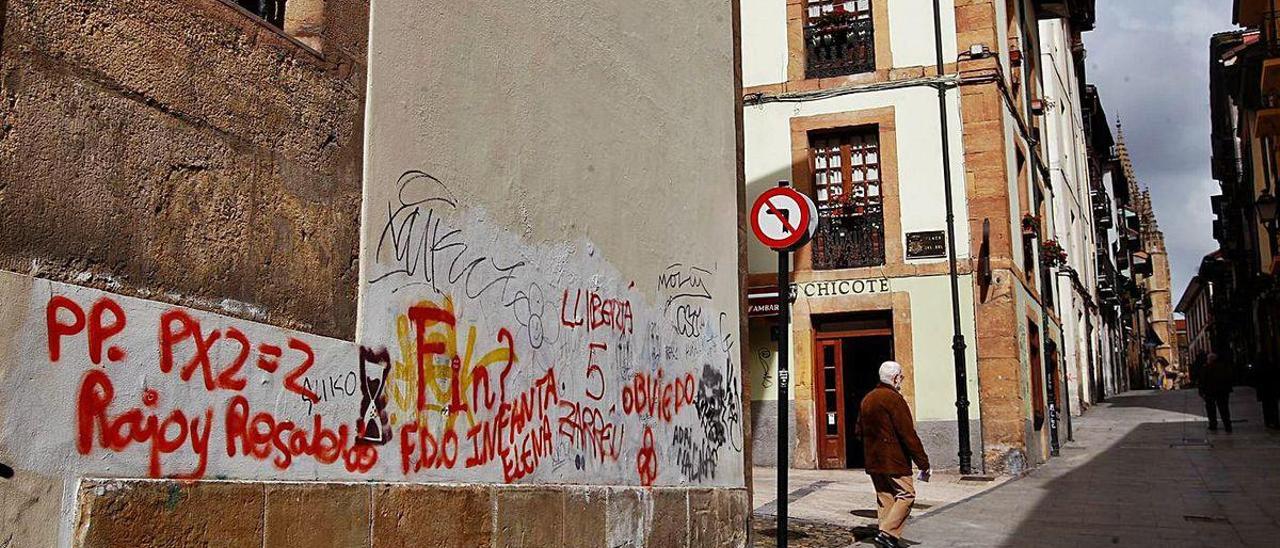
pixel 118 432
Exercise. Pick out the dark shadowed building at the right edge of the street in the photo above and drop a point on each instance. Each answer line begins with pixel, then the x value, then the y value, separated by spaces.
pixel 1245 90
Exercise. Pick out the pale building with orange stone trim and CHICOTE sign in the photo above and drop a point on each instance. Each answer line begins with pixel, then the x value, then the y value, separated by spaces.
pixel 848 101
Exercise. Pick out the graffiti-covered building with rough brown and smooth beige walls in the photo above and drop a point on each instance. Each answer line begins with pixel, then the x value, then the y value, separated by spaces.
pixel 243 307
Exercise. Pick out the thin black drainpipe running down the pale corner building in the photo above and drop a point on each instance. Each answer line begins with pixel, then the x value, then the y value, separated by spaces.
pixel 958 345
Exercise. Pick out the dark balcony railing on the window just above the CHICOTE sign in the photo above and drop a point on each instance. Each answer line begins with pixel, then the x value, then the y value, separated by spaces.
pixel 848 241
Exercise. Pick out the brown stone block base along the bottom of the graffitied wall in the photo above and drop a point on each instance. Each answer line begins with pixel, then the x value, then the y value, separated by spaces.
pixel 267 514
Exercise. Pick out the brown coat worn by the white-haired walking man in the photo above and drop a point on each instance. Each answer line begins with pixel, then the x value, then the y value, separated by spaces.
pixel 889 435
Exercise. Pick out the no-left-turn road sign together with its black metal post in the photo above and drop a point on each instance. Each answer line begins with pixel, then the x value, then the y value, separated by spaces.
pixel 784 220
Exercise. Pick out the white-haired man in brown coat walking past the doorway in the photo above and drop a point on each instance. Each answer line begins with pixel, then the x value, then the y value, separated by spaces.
pixel 890 445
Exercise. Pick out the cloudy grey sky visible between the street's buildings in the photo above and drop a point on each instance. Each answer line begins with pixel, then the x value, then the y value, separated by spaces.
pixel 1151 67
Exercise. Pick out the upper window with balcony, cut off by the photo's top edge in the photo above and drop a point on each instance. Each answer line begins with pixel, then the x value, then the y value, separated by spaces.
pixel 840 38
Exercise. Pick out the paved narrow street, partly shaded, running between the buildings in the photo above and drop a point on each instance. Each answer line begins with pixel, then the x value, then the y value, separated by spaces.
pixel 1142 472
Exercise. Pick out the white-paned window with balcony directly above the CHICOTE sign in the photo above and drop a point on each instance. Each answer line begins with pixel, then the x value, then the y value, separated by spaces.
pixel 847 181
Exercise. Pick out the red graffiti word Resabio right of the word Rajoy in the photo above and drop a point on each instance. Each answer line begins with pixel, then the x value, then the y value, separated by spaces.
pixel 260 436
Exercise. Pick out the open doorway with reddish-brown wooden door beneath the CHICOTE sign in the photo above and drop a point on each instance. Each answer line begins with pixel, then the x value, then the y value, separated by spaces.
pixel 851 350
